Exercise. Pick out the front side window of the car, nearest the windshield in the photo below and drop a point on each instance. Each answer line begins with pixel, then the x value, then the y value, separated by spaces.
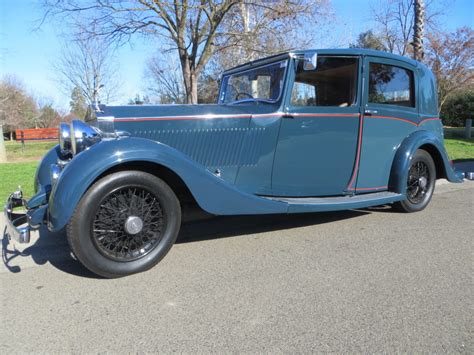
pixel 332 83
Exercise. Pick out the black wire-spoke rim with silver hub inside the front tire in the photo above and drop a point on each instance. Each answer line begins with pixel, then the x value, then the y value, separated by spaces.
pixel 128 224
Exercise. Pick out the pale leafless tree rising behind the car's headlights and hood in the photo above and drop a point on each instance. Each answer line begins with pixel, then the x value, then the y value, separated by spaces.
pixel 87 64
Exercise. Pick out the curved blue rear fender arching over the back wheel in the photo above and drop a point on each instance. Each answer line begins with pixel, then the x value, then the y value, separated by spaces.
pixel 405 153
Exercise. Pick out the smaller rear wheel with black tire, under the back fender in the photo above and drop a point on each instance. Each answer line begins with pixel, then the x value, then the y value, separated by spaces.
pixel 421 183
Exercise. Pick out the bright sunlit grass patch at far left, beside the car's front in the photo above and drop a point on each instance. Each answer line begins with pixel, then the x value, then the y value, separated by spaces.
pixel 14 174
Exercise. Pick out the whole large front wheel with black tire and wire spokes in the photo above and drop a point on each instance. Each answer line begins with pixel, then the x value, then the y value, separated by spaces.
pixel 109 243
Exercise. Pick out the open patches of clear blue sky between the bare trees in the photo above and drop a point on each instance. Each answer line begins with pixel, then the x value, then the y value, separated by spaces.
pixel 27 53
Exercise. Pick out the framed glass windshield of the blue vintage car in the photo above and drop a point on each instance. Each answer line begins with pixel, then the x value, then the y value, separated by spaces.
pixel 261 84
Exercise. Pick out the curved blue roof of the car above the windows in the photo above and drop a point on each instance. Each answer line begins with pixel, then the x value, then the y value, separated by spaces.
pixel 335 51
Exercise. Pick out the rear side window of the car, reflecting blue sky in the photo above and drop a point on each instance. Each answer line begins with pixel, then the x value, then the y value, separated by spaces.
pixel 391 85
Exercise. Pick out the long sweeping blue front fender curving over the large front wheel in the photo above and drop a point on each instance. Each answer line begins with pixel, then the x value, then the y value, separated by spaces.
pixel 213 194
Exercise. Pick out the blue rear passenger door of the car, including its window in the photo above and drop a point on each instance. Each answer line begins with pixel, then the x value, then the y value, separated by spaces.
pixel 390 115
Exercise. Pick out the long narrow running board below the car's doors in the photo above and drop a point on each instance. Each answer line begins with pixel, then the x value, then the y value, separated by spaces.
pixel 320 204
